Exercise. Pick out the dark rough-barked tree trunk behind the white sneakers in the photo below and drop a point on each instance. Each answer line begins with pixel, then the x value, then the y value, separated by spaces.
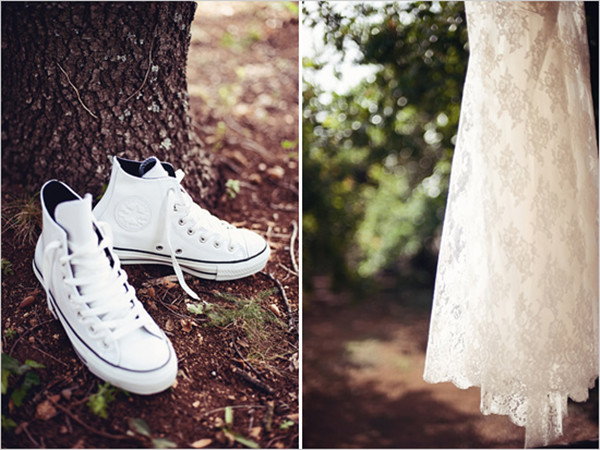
pixel 84 81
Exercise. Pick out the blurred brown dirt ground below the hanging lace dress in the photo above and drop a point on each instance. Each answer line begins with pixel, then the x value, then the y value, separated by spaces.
pixel 362 381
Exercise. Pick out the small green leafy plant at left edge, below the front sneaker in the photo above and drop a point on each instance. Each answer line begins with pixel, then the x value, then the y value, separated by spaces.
pixel 18 378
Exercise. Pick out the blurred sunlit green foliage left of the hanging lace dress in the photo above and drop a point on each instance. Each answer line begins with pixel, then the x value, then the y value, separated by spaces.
pixel 378 157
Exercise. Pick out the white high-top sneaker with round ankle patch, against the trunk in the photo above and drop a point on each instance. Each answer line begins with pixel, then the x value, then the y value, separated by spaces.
pixel 155 221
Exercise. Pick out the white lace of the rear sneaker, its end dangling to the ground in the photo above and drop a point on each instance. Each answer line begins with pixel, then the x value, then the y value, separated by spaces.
pixel 196 219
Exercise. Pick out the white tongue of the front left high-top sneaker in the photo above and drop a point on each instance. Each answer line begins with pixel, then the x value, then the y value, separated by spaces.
pixel 75 216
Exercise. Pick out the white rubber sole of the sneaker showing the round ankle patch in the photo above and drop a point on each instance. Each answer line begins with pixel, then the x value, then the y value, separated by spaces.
pixel 201 269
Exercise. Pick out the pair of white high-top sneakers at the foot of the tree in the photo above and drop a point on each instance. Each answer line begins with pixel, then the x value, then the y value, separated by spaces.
pixel 144 217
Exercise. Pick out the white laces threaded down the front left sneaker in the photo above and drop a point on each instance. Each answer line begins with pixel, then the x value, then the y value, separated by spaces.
pixel 109 297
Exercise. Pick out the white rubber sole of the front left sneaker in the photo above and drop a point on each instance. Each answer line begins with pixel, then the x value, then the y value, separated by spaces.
pixel 146 382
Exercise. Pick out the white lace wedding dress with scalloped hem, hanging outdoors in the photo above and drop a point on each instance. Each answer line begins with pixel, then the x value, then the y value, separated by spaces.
pixel 515 307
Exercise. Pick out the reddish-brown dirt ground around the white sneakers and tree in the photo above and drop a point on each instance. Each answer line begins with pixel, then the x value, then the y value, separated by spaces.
pixel 243 83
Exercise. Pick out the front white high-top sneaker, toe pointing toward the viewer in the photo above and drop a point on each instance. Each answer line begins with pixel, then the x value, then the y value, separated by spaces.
pixel 88 292
